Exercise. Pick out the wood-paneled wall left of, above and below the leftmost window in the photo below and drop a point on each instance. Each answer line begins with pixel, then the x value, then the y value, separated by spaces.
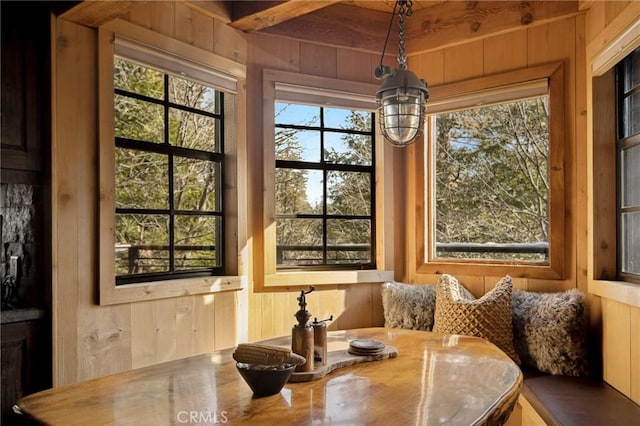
pixel 91 340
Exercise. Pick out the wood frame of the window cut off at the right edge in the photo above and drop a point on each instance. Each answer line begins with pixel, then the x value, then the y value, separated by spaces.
pixel 614 44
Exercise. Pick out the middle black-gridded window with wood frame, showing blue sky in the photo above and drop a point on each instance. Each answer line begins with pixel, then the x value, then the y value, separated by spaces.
pixel 328 199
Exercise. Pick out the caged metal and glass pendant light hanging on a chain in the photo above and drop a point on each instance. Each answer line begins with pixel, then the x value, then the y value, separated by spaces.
pixel 401 97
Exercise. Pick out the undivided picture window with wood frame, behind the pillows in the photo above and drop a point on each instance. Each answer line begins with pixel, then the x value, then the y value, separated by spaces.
pixel 493 175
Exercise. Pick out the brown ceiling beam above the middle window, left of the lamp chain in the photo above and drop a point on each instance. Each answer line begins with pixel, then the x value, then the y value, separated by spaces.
pixel 341 25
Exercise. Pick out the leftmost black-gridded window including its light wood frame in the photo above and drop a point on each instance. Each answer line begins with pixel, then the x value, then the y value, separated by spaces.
pixel 170 218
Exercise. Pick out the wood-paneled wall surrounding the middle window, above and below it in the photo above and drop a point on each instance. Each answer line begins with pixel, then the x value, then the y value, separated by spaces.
pixel 271 313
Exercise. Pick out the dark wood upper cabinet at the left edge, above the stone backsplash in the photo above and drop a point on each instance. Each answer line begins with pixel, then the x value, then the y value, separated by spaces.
pixel 26 59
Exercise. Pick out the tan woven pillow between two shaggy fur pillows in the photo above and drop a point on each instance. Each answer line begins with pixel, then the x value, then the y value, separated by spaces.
pixel 488 317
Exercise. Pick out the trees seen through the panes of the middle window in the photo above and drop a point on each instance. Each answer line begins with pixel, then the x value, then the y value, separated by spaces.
pixel 348 194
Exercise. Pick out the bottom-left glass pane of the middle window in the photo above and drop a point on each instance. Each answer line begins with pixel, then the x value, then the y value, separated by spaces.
pixel 299 241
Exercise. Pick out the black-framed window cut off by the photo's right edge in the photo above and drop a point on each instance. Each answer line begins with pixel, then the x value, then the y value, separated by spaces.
pixel 628 148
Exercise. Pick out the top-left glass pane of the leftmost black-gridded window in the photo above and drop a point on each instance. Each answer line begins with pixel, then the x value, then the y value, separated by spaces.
pixel 135 78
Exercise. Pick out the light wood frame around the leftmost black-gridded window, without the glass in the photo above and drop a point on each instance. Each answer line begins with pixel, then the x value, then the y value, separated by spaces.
pixel 195 61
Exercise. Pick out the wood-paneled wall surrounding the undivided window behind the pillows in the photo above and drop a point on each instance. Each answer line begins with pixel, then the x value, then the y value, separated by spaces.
pixel 561 40
